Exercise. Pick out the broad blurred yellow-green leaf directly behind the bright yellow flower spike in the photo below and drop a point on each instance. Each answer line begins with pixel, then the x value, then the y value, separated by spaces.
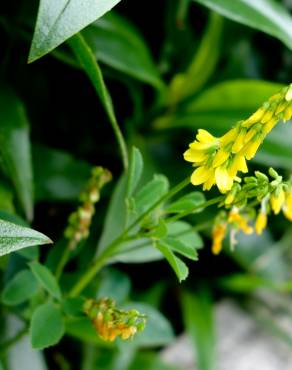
pixel 222 105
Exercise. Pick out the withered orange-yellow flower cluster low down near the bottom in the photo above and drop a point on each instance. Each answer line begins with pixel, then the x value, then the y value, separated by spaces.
pixel 111 322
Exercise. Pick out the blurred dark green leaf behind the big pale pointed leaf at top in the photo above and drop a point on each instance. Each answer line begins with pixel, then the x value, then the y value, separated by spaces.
pixel 117 43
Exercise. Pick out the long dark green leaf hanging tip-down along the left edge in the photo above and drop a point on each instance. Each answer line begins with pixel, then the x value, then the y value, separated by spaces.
pixel 15 148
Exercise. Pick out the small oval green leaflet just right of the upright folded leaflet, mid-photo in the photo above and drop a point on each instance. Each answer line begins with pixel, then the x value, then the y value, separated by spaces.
pixel 150 193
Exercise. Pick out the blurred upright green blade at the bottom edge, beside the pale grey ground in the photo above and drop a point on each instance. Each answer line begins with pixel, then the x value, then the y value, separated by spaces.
pixel 199 323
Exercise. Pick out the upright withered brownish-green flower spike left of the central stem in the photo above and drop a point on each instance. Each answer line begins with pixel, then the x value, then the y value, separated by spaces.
pixel 80 220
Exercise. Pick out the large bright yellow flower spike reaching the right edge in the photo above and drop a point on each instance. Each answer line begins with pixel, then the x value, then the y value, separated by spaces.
pixel 219 159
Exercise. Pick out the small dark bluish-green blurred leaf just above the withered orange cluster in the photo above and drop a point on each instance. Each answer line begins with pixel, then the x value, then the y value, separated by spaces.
pixel 114 284
